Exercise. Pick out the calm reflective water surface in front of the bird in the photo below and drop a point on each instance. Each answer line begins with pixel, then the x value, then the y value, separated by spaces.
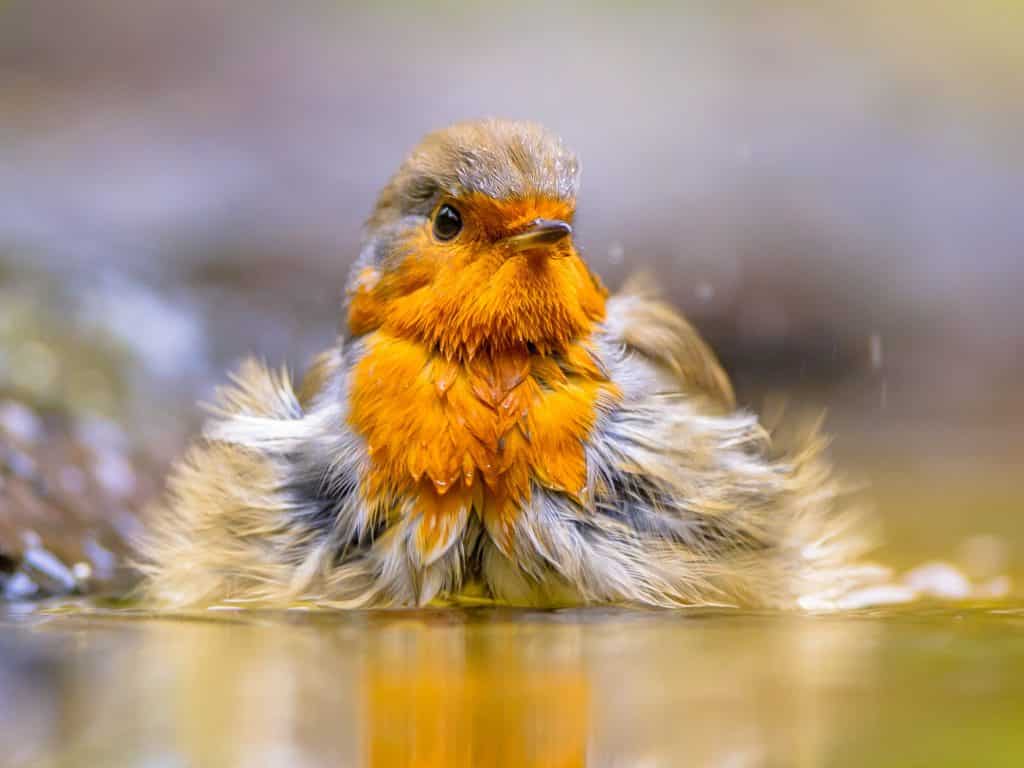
pixel 924 686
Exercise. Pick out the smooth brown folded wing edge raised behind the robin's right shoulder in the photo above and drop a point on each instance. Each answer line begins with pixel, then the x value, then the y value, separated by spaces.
pixel 648 326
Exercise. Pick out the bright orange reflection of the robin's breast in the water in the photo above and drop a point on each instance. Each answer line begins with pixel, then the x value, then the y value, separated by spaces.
pixel 435 700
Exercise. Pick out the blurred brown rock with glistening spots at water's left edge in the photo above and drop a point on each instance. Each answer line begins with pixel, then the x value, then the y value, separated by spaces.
pixel 71 492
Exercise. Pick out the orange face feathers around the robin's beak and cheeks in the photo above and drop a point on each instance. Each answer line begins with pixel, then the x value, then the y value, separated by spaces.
pixel 482 291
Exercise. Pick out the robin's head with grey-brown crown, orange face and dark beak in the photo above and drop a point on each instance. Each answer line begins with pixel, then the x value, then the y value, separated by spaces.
pixel 471 248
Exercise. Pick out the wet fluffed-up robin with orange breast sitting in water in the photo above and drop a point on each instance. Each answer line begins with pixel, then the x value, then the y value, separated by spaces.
pixel 494 425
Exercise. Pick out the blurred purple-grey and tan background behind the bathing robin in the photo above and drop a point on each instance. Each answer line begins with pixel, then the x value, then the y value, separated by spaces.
pixel 832 192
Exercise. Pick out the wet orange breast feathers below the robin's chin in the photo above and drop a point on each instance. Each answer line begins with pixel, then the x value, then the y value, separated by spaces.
pixel 468 438
